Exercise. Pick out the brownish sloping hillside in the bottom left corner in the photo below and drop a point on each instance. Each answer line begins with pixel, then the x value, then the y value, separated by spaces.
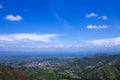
pixel 10 73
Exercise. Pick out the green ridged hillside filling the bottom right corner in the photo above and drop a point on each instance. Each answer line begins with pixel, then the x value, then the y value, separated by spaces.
pixel 101 73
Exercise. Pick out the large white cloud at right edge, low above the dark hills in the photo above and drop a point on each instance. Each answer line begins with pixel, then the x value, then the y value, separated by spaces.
pixel 106 42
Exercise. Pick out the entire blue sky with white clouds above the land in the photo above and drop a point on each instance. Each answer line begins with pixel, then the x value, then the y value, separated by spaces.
pixel 60 25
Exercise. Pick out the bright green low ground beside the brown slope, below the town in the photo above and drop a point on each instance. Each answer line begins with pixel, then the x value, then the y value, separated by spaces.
pixel 41 73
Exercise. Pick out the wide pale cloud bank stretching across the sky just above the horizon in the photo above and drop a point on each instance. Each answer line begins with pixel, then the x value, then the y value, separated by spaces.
pixel 46 42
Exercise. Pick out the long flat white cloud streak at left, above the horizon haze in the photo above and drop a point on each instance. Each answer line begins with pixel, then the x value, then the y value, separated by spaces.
pixel 28 37
